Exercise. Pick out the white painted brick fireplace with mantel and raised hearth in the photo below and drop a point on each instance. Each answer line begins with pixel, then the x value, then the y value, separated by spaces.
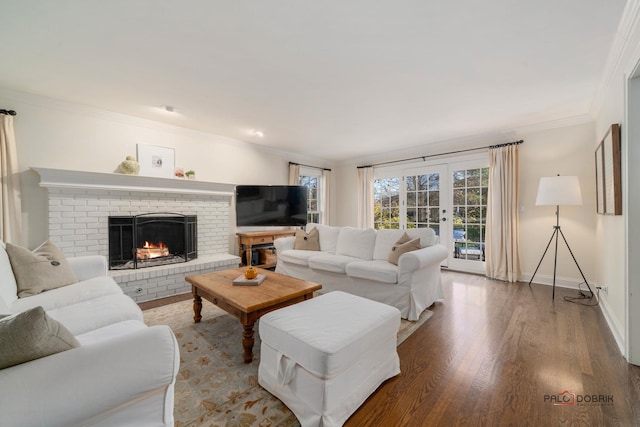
pixel 81 202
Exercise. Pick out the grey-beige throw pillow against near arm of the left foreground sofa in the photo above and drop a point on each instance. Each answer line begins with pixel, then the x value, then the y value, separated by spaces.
pixel 31 335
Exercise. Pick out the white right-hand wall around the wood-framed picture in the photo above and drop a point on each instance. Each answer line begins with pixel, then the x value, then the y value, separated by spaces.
pixel 618 260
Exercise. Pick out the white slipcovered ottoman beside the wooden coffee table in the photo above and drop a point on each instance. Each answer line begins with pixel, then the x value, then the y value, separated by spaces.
pixel 323 357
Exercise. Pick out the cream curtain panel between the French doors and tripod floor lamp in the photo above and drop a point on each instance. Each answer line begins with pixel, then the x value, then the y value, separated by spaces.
pixel 502 248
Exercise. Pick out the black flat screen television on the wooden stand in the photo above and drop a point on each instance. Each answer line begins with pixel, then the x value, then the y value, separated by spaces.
pixel 271 205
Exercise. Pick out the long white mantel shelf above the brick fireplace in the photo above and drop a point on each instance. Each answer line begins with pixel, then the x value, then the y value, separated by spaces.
pixel 61 178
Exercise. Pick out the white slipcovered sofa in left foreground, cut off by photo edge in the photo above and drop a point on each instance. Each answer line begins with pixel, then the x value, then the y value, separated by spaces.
pixel 122 374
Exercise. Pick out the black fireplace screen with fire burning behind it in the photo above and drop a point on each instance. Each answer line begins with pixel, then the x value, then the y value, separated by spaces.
pixel 149 240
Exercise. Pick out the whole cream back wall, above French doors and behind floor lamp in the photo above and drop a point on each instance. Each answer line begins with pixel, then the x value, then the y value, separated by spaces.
pixel 566 150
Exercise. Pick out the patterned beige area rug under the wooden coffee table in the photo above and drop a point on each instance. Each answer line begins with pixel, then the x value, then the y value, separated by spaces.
pixel 214 386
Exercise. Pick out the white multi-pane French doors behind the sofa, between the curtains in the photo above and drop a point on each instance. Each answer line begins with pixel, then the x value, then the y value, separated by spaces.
pixel 449 198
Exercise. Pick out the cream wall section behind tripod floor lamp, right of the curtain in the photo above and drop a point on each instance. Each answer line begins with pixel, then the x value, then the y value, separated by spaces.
pixel 564 151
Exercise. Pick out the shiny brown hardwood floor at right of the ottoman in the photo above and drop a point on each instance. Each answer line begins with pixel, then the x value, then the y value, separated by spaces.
pixel 500 354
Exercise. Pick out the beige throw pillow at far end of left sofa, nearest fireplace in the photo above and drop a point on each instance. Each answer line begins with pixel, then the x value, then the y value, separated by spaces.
pixel 41 270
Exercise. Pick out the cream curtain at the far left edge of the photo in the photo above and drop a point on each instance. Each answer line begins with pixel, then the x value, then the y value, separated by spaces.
pixel 11 229
